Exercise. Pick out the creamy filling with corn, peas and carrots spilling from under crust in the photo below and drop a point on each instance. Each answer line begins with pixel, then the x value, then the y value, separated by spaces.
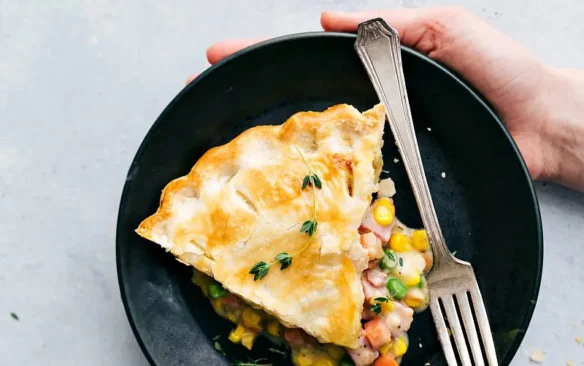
pixel 394 287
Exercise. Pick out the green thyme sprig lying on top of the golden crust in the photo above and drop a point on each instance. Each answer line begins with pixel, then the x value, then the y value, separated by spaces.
pixel 261 269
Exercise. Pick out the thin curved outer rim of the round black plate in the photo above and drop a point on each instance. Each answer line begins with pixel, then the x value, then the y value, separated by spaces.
pixel 298 36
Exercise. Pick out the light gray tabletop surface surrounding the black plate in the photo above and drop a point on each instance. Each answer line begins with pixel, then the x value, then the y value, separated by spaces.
pixel 80 84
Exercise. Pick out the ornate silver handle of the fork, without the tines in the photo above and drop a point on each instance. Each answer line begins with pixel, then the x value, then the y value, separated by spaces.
pixel 378 47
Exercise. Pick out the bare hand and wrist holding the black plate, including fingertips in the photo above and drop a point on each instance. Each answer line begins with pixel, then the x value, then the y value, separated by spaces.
pixel 542 106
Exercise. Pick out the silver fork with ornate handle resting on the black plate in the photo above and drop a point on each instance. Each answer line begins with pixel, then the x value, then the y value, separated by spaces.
pixel 451 280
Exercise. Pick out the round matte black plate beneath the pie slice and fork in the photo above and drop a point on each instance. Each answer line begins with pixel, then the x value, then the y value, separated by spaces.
pixel 486 203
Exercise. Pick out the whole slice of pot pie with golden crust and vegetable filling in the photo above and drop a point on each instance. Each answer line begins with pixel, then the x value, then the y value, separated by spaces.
pixel 281 229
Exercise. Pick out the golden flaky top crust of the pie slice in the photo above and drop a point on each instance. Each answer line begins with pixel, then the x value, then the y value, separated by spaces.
pixel 243 203
